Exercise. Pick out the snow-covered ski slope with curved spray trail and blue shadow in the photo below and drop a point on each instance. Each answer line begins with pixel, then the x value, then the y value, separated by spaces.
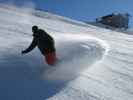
pixel 95 63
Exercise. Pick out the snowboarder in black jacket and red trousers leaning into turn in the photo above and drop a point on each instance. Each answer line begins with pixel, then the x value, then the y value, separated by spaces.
pixel 45 43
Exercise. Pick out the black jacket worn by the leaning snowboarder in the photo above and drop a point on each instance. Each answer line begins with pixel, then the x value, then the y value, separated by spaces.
pixel 43 41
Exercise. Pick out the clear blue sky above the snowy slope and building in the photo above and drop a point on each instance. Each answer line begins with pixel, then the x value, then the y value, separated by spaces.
pixel 82 10
